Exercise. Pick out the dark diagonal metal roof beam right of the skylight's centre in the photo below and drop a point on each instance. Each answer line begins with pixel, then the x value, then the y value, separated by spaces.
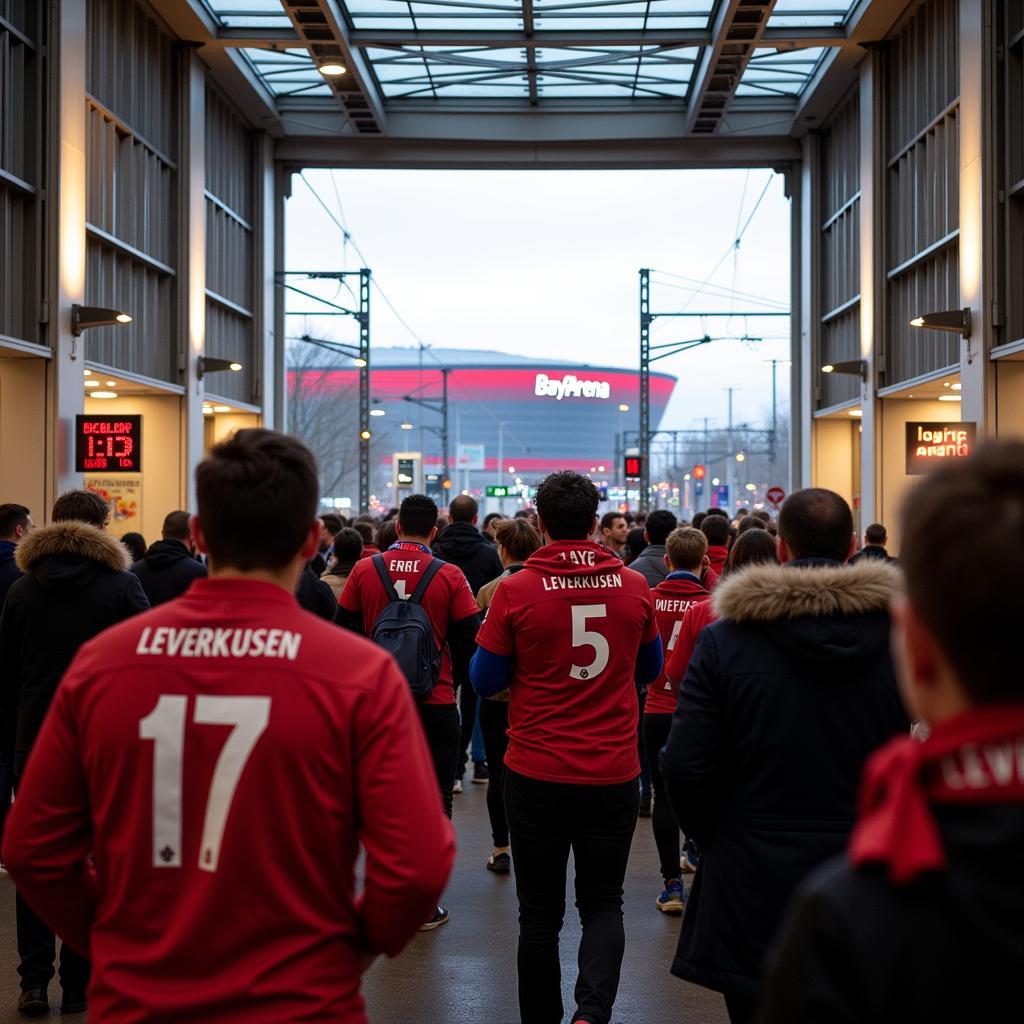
pixel 738 30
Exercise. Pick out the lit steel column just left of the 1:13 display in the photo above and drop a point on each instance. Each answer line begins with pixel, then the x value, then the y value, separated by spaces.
pixel 68 174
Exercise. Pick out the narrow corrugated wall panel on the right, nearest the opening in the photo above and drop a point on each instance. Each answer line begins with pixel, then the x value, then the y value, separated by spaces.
pixel 840 268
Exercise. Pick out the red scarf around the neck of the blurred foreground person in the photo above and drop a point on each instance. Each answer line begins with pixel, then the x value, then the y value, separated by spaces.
pixel 974 758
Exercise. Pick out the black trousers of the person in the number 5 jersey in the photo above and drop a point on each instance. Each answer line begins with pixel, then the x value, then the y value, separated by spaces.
pixel 596 824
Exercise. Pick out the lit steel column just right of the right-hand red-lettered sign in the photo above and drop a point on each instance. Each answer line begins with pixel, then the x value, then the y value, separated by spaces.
pixel 977 230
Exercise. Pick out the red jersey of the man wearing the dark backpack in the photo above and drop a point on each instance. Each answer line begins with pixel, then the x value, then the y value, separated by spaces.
pixel 447 601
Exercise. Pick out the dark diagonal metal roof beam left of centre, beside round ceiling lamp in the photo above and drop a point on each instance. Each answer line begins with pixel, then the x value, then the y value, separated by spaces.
pixel 323 30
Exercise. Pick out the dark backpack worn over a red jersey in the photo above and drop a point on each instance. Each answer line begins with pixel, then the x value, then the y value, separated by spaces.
pixel 405 631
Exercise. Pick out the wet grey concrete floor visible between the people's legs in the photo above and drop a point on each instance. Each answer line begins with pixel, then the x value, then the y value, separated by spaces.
pixel 464 973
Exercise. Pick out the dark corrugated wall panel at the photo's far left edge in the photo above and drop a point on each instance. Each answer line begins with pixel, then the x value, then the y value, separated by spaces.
pixel 22 210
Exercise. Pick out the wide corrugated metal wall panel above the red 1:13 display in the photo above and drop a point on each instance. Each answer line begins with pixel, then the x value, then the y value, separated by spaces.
pixel 132 208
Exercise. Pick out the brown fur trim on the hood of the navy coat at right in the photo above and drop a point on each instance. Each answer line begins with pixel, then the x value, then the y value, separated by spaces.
pixel 777 593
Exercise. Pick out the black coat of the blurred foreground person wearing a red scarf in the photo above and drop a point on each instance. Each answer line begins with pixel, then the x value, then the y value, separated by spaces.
pixel 947 949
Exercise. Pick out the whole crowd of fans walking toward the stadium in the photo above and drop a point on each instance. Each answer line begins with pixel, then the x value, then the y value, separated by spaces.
pixel 830 744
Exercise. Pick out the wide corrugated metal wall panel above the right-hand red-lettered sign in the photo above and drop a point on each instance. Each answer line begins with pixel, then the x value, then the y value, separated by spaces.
pixel 922 199
